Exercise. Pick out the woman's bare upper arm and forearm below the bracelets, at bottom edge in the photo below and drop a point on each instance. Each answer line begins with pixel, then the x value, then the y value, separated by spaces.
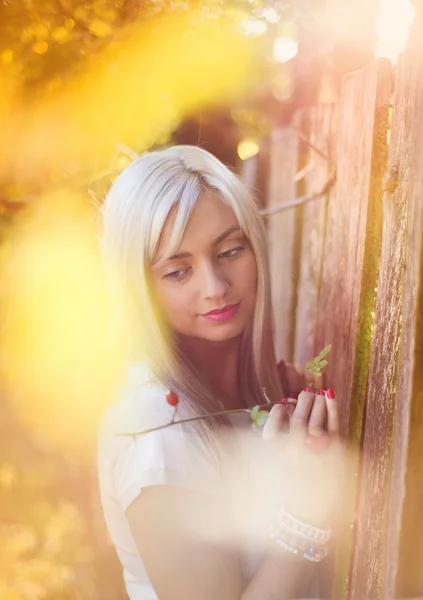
pixel 177 535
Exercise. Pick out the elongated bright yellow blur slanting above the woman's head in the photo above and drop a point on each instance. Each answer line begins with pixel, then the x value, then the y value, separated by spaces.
pixel 138 88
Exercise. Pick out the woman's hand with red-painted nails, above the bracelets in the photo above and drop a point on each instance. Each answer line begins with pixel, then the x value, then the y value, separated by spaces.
pixel 312 481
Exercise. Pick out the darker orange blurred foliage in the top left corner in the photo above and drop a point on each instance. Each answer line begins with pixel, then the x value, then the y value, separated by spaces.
pixel 44 42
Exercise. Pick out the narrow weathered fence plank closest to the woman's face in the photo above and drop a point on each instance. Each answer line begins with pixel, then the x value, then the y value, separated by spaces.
pixel 283 232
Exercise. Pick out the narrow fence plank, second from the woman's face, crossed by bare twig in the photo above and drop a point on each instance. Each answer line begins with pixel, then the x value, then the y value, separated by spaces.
pixel 319 131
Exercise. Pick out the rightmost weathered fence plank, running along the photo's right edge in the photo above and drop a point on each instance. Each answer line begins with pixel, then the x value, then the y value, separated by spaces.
pixel 388 563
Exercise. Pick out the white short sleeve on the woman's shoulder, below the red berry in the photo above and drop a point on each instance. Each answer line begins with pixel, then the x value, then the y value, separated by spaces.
pixel 170 456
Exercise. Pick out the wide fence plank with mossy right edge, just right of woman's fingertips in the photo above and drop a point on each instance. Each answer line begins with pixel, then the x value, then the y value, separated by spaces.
pixel 350 266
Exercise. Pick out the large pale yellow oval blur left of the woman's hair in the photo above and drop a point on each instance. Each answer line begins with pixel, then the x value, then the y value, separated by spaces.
pixel 60 362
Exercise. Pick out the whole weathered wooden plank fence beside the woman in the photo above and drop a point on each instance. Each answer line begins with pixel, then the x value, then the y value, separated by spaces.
pixel 347 270
